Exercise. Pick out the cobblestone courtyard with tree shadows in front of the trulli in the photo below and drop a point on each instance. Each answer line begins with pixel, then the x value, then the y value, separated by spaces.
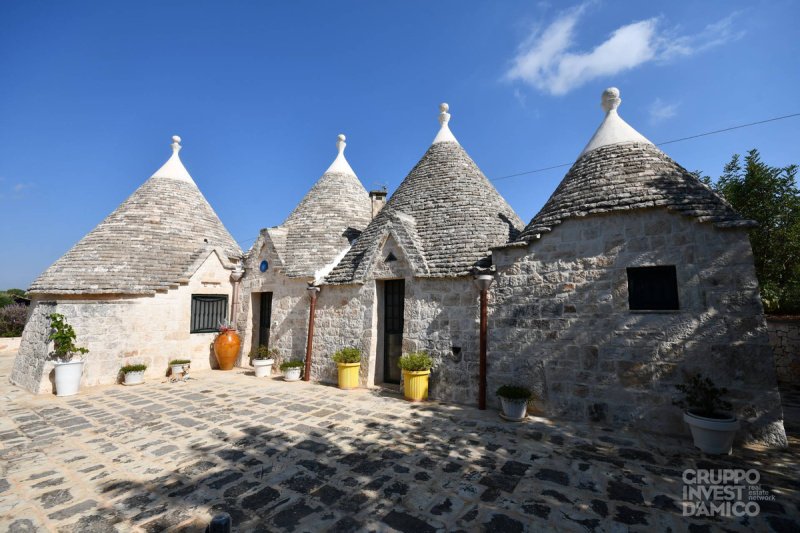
pixel 299 457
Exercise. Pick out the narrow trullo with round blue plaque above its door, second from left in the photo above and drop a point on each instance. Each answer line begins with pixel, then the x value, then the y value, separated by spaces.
pixel 285 260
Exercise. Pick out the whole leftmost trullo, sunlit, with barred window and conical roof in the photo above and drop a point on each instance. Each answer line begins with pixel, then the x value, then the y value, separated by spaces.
pixel 150 283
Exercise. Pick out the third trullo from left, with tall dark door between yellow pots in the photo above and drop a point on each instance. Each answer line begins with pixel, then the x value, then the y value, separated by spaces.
pixel 407 283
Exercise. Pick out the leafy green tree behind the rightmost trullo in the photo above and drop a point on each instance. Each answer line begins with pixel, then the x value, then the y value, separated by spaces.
pixel 770 196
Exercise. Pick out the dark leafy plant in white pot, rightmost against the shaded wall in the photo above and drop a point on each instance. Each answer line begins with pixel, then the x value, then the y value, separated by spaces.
pixel 707 414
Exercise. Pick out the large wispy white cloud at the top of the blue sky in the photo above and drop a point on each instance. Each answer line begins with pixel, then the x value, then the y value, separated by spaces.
pixel 548 62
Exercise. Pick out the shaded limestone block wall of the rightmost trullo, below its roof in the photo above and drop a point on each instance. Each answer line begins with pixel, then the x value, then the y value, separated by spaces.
pixel 560 323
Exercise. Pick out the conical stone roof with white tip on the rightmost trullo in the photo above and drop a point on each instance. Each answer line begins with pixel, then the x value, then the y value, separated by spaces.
pixel 620 170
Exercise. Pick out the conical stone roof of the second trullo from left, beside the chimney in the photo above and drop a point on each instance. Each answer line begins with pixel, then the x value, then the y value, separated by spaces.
pixel 325 222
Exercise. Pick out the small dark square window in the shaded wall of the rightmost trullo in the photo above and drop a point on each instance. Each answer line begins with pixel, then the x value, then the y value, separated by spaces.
pixel 653 288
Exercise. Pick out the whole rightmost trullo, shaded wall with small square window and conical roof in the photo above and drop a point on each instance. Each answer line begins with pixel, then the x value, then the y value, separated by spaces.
pixel 633 275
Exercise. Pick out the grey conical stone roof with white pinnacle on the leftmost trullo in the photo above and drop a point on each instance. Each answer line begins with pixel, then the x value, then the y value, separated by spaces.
pixel 153 240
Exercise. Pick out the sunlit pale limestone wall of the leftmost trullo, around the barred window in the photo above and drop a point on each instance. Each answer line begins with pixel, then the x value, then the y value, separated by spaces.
pixel 122 329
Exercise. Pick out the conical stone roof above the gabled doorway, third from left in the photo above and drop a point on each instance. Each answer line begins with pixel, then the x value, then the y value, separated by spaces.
pixel 446 215
